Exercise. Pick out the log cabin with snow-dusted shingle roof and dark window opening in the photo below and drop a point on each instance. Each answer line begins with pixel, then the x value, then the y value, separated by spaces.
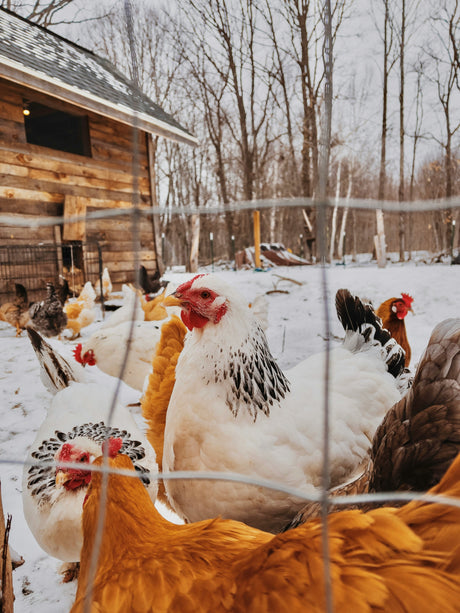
pixel 70 127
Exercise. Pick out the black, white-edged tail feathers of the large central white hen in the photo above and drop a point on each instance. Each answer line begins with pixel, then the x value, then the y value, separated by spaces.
pixel 359 317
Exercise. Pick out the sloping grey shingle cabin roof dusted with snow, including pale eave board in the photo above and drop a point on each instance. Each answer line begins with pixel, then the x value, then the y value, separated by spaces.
pixel 42 60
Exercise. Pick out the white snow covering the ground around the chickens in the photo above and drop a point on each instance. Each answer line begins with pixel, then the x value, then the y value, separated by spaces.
pixel 296 330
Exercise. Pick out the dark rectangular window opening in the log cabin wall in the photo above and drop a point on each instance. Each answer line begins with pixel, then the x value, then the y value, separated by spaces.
pixel 49 127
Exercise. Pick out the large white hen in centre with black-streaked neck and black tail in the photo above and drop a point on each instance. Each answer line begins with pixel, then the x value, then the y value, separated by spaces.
pixel 233 409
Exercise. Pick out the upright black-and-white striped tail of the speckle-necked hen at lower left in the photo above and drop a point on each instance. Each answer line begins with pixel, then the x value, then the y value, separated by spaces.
pixel 55 372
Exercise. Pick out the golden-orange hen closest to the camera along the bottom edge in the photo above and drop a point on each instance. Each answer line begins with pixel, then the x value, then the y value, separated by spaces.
pixel 405 559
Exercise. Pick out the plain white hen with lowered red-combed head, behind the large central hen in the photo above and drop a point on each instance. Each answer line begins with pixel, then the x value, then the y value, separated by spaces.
pixel 107 349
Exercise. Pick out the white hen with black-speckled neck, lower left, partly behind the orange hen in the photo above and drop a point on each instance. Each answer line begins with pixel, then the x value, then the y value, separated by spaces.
pixel 79 419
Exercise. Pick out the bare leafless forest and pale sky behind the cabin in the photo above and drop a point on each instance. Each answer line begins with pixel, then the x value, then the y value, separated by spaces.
pixel 247 78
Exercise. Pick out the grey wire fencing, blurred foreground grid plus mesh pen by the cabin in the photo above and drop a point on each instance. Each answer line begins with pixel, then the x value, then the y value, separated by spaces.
pixel 42 263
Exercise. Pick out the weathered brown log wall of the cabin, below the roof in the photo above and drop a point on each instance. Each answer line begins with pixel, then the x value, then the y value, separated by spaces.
pixel 38 181
